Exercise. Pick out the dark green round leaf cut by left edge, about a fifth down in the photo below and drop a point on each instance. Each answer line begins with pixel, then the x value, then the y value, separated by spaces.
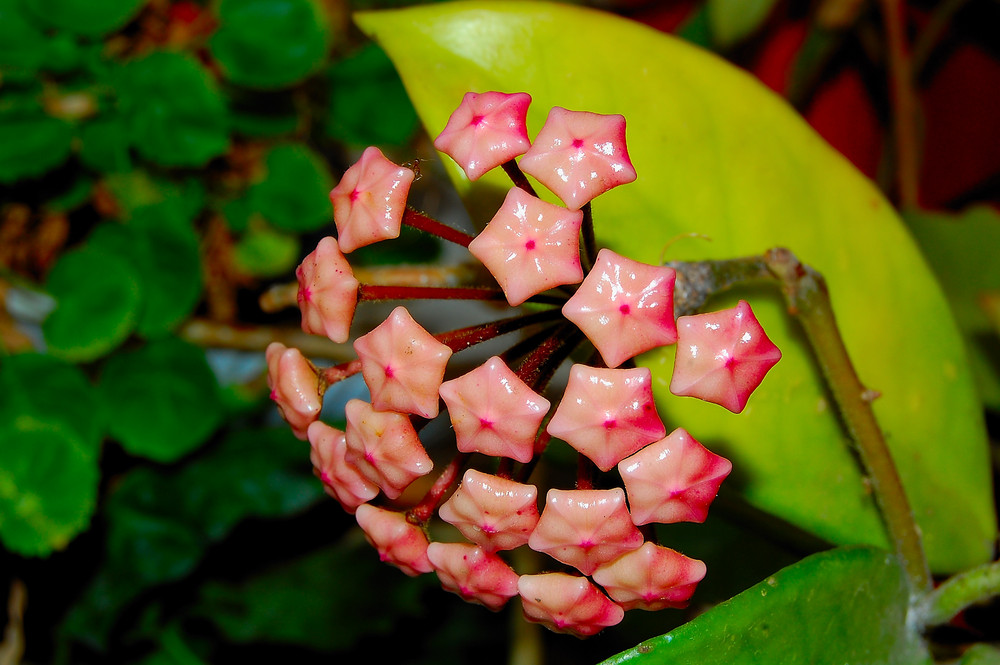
pixel 31 142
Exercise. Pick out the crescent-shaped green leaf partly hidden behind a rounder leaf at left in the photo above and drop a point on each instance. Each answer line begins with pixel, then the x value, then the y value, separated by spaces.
pixel 167 263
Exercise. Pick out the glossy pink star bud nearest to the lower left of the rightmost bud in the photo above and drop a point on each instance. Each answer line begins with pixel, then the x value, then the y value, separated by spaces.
pixel 607 414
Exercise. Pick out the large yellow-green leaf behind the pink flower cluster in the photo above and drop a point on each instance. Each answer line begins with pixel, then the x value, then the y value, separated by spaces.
pixel 719 155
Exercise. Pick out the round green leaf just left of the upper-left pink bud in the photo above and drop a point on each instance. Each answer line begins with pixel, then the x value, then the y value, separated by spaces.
pixel 295 193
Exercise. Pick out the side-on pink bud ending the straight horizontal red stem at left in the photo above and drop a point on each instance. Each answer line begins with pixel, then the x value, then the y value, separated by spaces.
pixel 328 292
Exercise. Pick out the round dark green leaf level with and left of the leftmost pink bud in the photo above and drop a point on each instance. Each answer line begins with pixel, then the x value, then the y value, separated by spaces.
pixel 162 398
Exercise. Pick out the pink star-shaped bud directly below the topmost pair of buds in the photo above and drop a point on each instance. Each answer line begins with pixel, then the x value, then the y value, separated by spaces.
pixel 530 246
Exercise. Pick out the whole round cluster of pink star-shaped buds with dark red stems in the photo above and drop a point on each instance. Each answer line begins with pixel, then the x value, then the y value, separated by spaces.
pixel 595 305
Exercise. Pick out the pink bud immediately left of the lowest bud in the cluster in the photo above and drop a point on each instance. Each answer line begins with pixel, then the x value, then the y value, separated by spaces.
pixel 474 574
